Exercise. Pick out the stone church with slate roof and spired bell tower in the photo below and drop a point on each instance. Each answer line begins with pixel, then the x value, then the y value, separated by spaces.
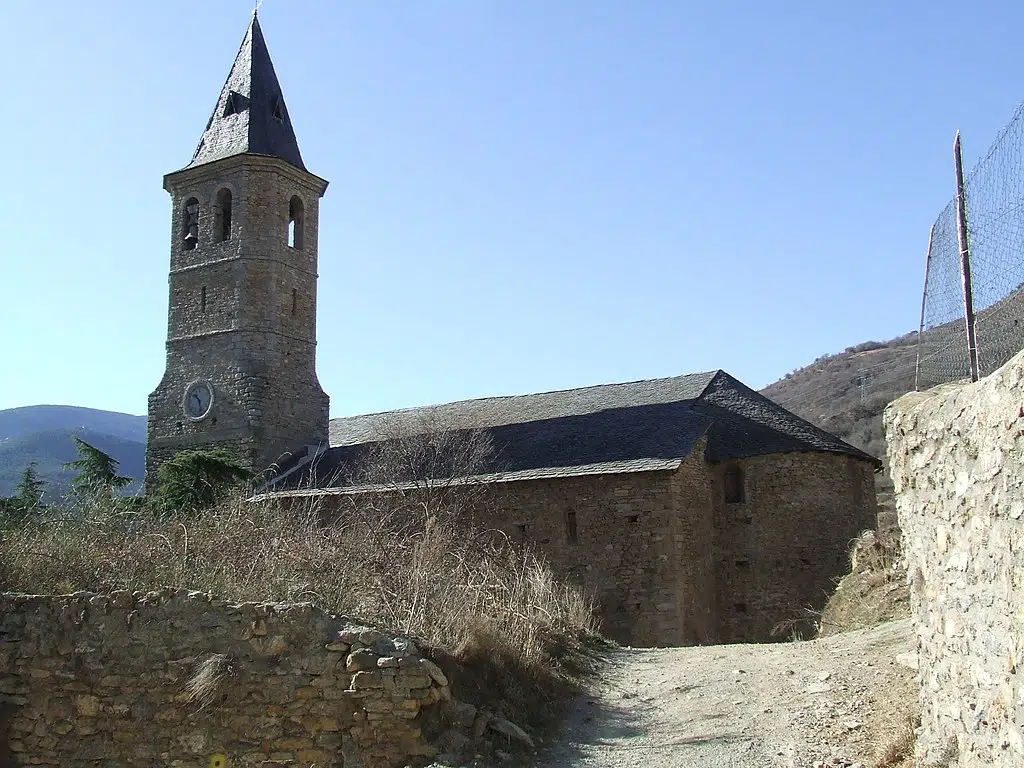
pixel 694 508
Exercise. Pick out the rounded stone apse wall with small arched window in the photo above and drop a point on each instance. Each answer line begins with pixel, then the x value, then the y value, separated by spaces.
pixel 779 551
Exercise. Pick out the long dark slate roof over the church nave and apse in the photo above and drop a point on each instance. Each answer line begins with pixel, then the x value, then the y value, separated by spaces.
pixel 641 426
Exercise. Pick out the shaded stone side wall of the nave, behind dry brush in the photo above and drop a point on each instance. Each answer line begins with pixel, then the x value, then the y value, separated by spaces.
pixel 625 538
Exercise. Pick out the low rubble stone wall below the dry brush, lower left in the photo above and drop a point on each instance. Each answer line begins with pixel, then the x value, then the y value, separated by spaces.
pixel 94 679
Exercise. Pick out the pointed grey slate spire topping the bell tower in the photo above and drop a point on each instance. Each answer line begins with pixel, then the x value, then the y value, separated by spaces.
pixel 250 117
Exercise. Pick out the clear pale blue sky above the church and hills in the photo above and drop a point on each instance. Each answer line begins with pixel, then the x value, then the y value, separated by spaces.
pixel 525 195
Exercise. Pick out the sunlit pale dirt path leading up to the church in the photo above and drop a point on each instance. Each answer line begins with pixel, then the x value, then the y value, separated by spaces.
pixel 788 705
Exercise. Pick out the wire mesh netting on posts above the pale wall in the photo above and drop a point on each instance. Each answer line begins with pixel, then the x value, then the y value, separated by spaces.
pixel 995 194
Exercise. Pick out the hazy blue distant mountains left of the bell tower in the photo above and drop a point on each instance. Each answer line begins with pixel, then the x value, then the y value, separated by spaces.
pixel 44 435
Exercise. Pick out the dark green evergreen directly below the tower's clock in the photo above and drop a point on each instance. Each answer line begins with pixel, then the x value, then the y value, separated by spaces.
pixel 195 481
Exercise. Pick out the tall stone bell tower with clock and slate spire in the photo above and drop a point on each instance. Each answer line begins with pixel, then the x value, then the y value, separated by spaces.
pixel 242 322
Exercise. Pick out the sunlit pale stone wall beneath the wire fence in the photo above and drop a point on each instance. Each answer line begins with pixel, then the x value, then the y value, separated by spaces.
pixel 956 458
